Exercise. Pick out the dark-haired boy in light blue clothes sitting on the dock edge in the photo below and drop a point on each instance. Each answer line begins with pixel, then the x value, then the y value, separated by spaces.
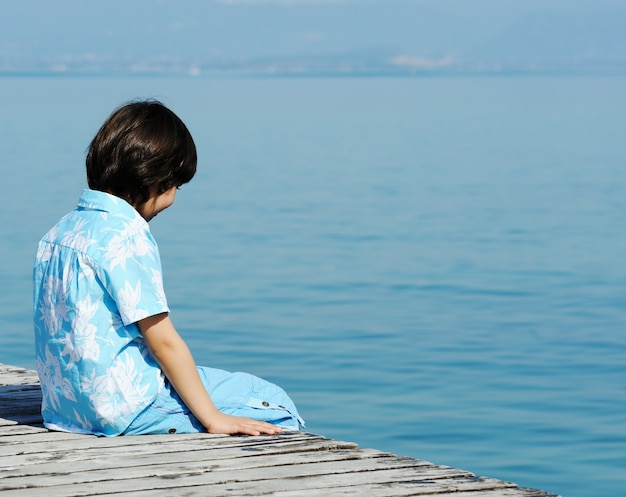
pixel 108 356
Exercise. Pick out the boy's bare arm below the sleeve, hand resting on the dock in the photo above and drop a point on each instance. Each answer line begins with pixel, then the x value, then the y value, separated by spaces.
pixel 176 361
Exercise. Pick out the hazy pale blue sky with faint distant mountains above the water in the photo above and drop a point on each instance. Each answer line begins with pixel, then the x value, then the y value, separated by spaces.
pixel 235 33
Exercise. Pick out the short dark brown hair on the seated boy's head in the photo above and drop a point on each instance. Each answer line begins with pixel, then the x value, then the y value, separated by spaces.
pixel 141 147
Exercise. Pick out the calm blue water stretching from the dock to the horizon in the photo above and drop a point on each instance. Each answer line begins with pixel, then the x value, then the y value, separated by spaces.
pixel 430 266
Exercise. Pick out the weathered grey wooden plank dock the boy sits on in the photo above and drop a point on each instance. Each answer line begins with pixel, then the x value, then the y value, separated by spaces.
pixel 38 462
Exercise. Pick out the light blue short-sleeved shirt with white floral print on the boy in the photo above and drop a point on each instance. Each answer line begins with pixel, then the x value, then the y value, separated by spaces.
pixel 97 272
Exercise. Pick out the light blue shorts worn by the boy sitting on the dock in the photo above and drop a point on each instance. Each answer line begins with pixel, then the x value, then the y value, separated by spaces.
pixel 238 394
